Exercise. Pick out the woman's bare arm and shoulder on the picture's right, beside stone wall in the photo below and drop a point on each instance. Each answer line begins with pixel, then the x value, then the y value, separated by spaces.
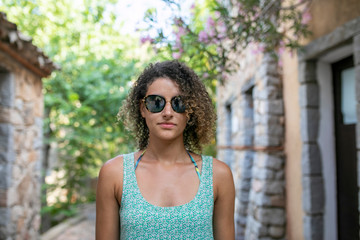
pixel 224 193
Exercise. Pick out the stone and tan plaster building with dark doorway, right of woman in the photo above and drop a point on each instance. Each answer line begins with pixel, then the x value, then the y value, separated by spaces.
pixel 291 133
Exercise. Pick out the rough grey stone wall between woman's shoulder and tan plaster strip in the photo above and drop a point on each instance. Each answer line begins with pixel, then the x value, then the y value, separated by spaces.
pixel 250 139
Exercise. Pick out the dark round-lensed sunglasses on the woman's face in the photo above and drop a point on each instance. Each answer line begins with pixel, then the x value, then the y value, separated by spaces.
pixel 156 103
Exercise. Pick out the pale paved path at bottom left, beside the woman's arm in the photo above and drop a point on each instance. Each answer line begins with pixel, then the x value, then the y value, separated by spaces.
pixel 81 227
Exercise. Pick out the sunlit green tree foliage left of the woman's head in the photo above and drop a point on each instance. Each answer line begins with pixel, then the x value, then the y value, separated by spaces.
pixel 97 65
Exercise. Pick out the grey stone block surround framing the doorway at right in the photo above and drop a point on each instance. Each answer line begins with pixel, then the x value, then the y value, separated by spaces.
pixel 312 172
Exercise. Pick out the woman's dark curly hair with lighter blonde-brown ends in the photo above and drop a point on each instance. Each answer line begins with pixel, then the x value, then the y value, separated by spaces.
pixel 200 113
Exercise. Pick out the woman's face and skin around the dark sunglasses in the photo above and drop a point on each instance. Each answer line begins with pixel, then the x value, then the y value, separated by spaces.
pixel 166 124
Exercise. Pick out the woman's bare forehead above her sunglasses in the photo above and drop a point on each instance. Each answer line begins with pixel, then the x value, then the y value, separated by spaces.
pixel 164 87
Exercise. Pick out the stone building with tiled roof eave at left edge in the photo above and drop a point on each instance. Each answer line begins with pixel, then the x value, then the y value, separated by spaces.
pixel 22 66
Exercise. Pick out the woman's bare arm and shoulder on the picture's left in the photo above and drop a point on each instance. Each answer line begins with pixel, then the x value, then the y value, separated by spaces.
pixel 108 197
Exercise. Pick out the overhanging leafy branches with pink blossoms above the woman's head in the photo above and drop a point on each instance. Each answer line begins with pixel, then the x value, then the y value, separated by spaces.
pixel 216 31
